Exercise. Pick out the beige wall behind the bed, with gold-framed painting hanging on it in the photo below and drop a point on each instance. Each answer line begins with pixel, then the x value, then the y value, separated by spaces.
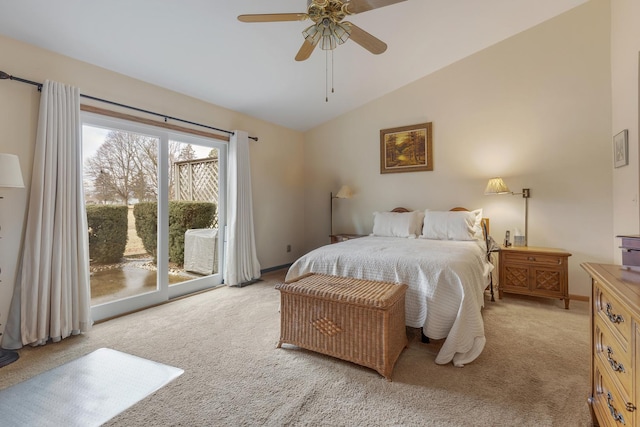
pixel 534 109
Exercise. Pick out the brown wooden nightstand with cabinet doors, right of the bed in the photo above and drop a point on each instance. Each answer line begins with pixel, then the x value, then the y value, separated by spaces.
pixel 541 272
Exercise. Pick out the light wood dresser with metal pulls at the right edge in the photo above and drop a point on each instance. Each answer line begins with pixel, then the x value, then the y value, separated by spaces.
pixel 615 344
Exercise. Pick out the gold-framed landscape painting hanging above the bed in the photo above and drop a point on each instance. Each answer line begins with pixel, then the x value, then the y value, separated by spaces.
pixel 406 149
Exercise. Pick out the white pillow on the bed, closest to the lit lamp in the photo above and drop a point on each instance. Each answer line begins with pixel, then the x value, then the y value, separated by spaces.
pixel 449 225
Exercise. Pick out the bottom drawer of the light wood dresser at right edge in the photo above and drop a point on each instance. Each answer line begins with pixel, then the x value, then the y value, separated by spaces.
pixel 608 403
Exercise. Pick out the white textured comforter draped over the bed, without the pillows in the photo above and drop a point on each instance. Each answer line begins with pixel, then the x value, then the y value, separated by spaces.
pixel 446 282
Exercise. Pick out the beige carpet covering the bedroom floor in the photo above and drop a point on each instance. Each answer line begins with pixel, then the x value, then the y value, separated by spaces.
pixel 534 370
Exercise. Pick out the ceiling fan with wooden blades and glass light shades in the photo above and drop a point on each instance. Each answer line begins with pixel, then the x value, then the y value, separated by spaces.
pixel 329 28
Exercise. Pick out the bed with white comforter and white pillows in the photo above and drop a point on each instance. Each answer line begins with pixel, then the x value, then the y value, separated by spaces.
pixel 442 258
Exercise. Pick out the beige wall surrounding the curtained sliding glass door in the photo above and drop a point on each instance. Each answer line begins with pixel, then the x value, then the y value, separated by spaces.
pixel 277 176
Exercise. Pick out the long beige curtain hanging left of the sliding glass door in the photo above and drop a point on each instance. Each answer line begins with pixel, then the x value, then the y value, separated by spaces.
pixel 52 297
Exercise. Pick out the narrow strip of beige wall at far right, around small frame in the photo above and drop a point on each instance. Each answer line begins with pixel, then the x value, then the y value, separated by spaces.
pixel 625 49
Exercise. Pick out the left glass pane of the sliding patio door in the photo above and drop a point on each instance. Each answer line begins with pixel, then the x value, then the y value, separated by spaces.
pixel 121 192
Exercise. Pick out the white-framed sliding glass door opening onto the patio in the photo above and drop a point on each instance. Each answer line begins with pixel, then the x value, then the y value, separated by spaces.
pixel 155 205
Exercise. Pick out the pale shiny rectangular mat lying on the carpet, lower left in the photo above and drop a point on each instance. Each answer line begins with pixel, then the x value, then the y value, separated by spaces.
pixel 85 392
